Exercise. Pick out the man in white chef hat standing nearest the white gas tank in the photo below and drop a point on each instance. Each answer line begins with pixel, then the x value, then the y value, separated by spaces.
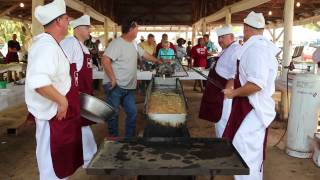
pixel 253 108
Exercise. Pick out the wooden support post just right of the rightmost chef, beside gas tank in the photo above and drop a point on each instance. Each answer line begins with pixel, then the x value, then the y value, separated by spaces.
pixel 287 49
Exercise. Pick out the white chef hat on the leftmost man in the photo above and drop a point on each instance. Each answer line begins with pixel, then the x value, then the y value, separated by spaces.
pixel 51 11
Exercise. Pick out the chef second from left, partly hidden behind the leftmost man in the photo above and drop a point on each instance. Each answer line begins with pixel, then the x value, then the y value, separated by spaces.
pixel 79 54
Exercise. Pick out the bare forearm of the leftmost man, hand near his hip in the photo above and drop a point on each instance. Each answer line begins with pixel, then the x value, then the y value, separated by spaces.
pixel 51 93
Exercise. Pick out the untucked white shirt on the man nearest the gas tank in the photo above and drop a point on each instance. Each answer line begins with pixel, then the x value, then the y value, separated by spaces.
pixel 258 65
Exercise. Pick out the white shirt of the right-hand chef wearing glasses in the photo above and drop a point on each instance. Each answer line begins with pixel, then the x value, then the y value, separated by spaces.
pixel 227 63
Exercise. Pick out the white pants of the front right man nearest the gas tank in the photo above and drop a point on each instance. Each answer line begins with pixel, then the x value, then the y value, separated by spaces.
pixel 249 143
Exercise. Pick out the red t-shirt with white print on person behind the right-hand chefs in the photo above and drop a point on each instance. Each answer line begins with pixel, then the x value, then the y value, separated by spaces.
pixel 199 54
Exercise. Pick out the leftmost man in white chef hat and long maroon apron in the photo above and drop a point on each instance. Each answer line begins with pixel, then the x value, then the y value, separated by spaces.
pixel 52 97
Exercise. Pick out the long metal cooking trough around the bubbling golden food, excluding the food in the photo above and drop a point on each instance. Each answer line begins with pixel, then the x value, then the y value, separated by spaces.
pixel 166 84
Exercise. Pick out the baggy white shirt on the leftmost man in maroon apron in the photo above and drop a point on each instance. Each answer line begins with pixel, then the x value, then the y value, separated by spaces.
pixel 47 65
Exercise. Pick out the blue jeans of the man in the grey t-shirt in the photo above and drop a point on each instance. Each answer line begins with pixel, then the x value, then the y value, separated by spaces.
pixel 124 97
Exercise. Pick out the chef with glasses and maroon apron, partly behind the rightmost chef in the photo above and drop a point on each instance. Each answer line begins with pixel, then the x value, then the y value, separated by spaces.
pixel 213 106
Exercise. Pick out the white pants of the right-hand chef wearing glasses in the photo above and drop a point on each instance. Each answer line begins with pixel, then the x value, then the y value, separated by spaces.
pixel 221 124
